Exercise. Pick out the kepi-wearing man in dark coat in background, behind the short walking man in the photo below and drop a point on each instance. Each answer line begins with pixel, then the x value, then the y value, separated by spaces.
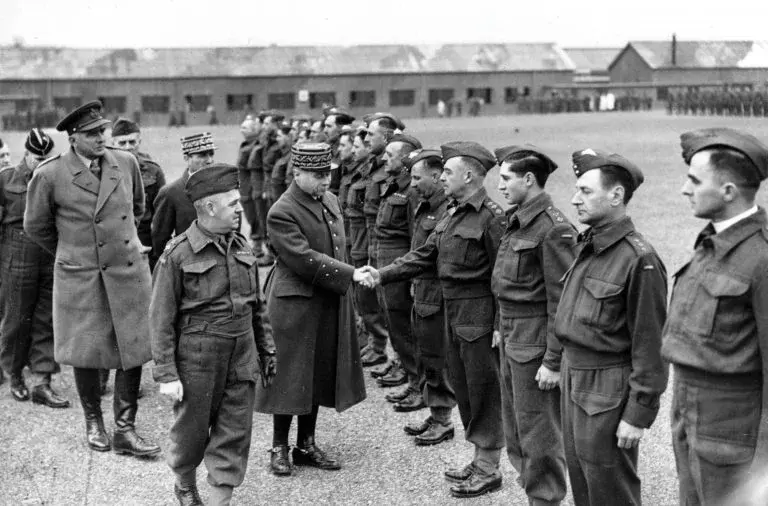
pixel 174 212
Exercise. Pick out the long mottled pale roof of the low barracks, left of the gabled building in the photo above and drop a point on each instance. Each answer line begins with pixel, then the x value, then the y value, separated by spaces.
pixel 62 63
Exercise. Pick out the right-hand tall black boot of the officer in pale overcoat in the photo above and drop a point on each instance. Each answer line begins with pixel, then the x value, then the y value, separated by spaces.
pixel 126 404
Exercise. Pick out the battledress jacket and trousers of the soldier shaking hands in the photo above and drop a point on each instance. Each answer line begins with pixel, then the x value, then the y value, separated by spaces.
pixel 463 251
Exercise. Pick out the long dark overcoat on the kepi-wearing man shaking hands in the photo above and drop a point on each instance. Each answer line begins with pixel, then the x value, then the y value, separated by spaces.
pixel 310 308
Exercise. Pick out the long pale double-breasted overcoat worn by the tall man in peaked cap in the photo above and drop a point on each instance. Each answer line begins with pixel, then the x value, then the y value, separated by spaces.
pixel 101 284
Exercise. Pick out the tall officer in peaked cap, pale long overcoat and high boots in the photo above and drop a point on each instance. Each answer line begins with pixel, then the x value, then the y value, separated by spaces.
pixel 83 206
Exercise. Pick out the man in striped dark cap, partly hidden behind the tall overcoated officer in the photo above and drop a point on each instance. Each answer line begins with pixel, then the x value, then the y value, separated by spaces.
pixel 26 297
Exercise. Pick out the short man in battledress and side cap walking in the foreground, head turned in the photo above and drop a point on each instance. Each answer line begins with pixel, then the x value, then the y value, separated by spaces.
pixel 206 336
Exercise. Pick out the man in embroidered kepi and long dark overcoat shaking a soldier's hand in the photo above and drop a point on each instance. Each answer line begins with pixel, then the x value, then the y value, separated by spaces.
pixel 310 312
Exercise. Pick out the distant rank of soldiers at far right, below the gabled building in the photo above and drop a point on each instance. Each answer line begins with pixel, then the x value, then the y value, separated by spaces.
pixel 726 102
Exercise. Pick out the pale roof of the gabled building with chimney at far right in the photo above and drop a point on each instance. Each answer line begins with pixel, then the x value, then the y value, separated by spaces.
pixel 703 53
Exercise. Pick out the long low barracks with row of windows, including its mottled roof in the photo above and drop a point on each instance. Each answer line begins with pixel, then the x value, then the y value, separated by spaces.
pixel 153 84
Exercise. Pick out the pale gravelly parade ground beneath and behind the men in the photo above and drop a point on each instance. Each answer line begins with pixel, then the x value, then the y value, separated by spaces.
pixel 43 457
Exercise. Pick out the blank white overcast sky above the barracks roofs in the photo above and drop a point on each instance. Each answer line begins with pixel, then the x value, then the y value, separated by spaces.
pixel 180 23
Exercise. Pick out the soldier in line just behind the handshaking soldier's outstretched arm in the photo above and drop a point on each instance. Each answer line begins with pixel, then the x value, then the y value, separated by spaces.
pixel 428 315
